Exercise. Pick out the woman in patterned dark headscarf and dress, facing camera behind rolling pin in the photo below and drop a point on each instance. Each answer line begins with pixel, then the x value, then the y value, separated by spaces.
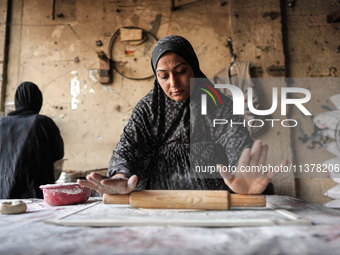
pixel 154 151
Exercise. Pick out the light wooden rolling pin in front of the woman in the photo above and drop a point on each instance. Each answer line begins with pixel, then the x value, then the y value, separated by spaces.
pixel 186 199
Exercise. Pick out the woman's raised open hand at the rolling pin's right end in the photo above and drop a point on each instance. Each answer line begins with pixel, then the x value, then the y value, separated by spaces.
pixel 250 182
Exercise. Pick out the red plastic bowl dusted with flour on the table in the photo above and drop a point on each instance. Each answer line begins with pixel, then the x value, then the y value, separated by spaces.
pixel 65 193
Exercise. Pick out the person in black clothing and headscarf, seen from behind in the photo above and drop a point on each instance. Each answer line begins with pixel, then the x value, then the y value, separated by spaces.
pixel 29 145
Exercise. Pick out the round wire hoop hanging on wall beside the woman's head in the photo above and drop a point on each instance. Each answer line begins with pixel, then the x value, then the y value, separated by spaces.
pixel 147 40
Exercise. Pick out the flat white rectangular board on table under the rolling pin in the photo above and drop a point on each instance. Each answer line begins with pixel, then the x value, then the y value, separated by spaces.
pixel 105 215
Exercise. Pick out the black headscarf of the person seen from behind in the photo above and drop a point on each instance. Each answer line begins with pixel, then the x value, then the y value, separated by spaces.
pixel 28 97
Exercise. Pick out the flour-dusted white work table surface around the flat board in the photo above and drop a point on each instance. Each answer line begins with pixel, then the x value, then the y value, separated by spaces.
pixel 28 233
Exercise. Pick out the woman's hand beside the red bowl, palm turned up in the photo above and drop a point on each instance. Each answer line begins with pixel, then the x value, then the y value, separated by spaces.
pixel 117 184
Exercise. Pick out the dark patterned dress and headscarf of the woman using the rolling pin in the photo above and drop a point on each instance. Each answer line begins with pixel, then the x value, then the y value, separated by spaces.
pixel 160 141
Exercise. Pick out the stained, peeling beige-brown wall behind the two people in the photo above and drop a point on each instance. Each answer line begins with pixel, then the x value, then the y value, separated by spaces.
pixel 55 44
